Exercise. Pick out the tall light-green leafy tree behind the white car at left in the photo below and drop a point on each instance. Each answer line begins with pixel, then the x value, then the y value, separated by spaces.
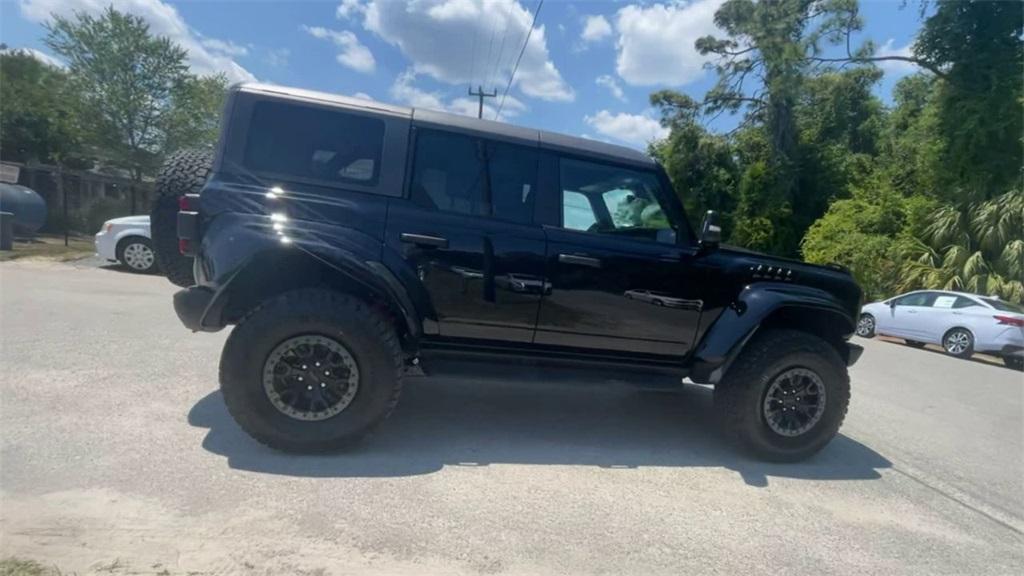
pixel 141 100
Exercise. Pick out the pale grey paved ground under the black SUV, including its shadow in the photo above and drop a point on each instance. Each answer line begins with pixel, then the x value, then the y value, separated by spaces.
pixel 118 457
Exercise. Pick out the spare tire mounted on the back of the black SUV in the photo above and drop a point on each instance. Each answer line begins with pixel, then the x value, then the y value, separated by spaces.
pixel 184 173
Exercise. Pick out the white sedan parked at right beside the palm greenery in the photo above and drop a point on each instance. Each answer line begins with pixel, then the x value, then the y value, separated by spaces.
pixel 961 323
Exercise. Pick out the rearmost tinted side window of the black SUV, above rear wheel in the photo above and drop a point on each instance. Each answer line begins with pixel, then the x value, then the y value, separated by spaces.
pixel 314 144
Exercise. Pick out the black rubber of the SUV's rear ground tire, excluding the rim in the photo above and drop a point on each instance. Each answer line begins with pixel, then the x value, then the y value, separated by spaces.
pixel 368 337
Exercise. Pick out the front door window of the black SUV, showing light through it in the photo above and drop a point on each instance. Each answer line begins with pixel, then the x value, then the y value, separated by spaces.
pixel 605 199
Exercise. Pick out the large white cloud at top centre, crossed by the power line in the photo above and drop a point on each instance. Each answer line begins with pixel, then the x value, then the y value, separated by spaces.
pixel 466 43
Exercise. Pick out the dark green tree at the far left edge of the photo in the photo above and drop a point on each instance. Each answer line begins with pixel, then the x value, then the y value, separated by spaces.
pixel 39 113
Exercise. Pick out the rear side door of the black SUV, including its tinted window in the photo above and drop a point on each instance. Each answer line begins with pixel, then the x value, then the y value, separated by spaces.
pixel 467 236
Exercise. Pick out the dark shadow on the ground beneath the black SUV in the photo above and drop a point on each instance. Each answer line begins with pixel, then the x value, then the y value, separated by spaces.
pixel 445 422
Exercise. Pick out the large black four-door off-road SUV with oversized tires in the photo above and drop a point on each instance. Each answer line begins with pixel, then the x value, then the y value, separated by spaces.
pixel 354 243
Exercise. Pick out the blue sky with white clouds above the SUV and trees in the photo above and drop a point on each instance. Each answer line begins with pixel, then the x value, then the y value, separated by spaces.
pixel 587 69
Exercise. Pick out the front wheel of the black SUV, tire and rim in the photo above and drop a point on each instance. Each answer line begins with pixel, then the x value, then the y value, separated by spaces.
pixel 785 397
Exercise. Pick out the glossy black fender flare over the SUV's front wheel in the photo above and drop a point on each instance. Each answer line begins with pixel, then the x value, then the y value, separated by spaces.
pixel 756 304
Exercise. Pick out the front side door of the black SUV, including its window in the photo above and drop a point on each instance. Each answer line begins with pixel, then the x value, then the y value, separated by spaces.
pixel 619 279
